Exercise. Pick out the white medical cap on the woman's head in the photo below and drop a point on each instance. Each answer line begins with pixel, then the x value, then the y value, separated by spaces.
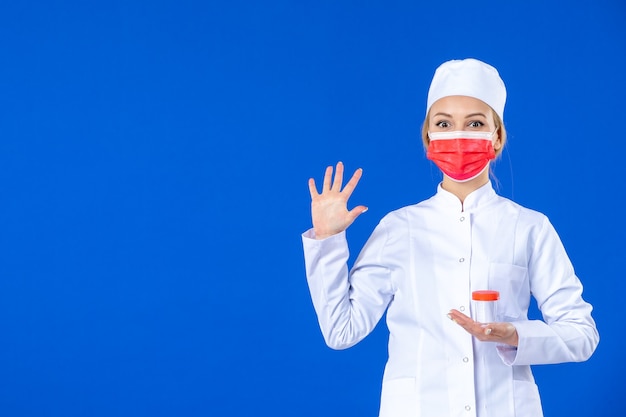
pixel 468 77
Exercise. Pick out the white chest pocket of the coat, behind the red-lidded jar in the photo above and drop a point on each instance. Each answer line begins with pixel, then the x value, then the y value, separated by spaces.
pixel 512 283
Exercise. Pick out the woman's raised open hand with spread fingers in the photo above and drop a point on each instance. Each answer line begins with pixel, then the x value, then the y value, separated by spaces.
pixel 329 209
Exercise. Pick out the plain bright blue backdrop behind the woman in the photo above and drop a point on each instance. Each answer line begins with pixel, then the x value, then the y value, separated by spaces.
pixel 154 158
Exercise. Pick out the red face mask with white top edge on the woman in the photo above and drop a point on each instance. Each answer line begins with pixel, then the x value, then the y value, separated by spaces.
pixel 461 155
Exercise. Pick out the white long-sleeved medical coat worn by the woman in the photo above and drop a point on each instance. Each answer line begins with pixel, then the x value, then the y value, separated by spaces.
pixel 423 260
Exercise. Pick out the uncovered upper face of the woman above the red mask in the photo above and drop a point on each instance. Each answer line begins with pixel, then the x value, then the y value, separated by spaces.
pixel 455 113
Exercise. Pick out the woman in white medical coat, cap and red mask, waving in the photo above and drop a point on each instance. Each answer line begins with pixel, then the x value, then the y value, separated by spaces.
pixel 422 262
